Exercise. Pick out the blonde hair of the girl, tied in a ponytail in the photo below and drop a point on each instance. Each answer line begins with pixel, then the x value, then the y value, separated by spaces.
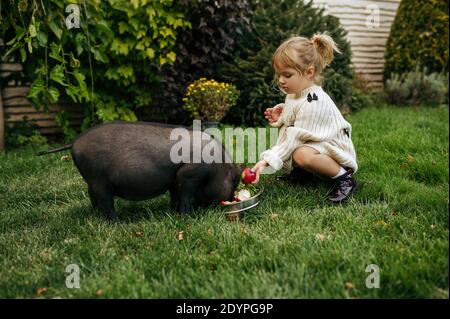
pixel 300 53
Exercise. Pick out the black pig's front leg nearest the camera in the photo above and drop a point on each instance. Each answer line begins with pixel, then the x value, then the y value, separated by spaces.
pixel 189 179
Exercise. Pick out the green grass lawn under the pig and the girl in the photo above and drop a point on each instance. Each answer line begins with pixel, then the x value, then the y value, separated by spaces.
pixel 398 221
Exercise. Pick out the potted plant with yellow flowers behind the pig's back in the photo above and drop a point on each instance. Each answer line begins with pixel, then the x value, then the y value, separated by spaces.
pixel 209 100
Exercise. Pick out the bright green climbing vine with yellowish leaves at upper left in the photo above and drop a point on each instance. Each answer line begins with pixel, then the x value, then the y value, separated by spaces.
pixel 107 62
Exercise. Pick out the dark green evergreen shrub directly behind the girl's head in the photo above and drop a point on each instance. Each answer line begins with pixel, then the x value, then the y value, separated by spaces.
pixel 251 70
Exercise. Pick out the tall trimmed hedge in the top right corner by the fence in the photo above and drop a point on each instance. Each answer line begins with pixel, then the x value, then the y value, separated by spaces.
pixel 419 37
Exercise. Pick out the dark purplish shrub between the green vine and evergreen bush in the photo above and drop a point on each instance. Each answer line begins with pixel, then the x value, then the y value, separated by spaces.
pixel 217 27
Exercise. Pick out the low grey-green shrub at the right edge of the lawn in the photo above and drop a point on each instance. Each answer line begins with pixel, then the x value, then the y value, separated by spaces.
pixel 417 87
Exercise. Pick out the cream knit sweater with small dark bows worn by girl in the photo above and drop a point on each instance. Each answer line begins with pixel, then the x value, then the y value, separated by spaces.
pixel 318 124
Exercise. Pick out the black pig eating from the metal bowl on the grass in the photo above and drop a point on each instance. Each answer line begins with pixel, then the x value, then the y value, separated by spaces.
pixel 132 160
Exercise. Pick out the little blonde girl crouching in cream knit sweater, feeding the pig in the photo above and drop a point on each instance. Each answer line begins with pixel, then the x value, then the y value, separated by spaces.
pixel 314 136
